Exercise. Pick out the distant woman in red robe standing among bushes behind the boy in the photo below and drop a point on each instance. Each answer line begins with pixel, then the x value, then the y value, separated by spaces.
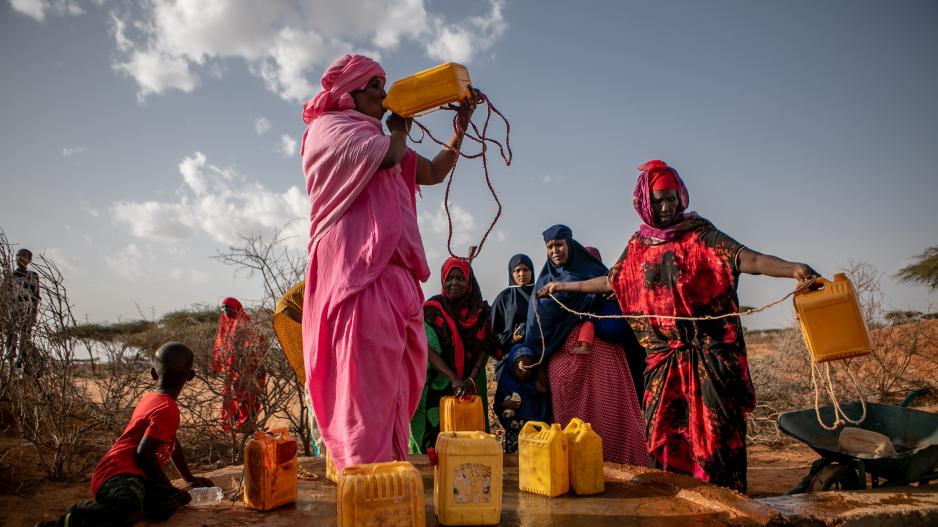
pixel 238 354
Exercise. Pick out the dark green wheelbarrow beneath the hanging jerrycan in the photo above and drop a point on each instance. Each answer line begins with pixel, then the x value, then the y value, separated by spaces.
pixel 913 433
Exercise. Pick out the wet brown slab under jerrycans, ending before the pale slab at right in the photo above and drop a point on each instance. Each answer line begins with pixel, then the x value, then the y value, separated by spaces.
pixel 634 496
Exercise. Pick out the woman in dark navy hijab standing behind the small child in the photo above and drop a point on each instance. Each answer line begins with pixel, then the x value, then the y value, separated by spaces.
pixel 510 309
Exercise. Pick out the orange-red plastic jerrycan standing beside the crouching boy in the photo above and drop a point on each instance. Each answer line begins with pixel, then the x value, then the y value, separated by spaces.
pixel 269 470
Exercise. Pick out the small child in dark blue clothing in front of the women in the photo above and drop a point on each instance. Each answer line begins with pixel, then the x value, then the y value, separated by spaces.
pixel 519 398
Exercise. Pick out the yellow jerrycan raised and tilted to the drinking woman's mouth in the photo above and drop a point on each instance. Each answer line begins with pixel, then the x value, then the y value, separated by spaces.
pixel 428 90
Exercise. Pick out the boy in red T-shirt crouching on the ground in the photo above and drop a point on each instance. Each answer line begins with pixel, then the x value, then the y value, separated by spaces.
pixel 129 483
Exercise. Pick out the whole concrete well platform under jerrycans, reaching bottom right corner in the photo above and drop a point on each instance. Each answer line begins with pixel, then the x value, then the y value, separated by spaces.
pixel 634 496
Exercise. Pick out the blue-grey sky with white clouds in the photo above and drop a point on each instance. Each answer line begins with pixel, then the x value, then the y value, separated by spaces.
pixel 138 139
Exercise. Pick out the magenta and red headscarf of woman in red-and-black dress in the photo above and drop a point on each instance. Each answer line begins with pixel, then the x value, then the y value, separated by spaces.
pixel 641 199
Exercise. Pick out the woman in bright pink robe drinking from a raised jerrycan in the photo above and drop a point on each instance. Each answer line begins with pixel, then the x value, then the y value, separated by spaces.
pixel 364 344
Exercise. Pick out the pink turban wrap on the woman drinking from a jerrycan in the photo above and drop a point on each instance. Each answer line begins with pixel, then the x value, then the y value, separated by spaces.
pixel 347 74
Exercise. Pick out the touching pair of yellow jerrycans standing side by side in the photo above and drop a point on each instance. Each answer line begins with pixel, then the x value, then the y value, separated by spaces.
pixel 552 461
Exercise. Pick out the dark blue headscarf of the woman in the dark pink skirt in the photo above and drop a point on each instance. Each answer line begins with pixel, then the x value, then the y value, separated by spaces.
pixel 557 323
